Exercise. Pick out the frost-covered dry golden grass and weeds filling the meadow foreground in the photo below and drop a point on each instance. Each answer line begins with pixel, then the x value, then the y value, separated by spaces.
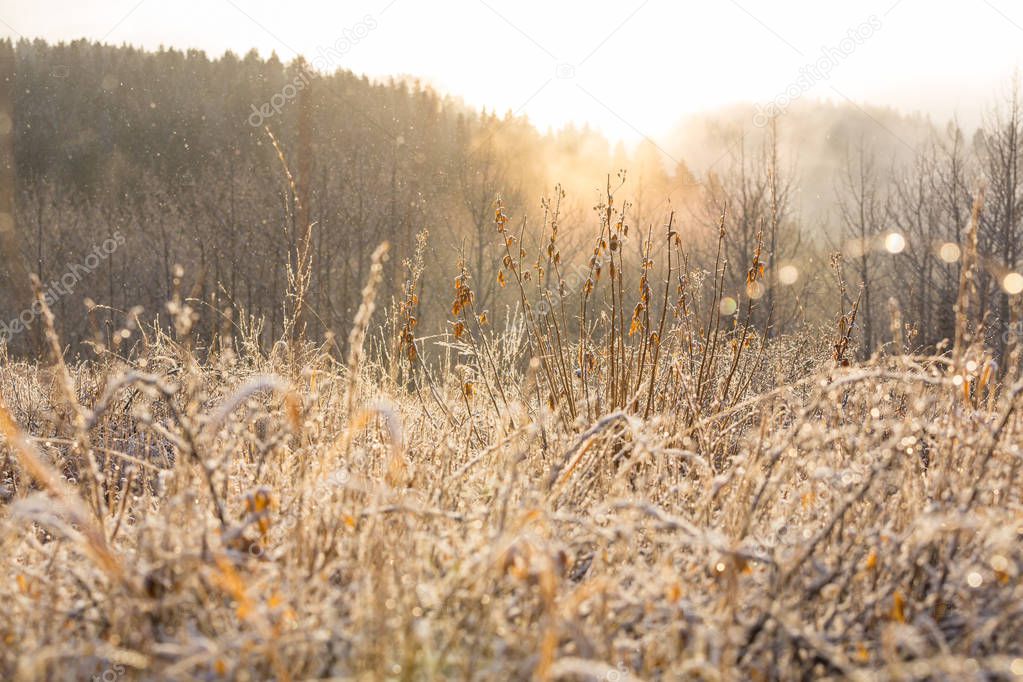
pixel 624 485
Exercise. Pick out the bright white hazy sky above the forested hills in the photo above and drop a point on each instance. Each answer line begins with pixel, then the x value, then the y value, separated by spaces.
pixel 631 68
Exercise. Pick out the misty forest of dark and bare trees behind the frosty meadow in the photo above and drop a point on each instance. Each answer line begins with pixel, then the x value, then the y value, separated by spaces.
pixel 121 165
